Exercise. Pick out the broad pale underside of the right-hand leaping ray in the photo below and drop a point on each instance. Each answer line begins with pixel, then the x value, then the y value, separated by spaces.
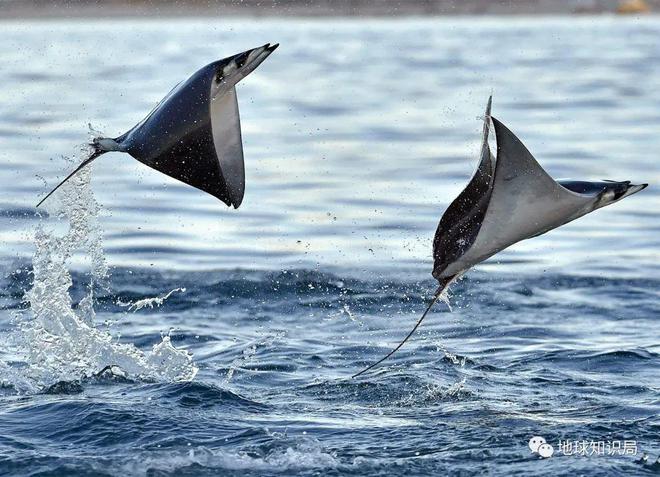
pixel 525 201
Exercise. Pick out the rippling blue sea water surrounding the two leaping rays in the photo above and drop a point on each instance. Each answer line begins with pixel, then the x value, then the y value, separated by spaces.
pixel 357 135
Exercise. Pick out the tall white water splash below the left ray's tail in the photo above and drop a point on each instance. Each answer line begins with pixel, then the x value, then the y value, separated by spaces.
pixel 56 342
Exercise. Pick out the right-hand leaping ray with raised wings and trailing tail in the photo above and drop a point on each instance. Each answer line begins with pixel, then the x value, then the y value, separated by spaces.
pixel 510 198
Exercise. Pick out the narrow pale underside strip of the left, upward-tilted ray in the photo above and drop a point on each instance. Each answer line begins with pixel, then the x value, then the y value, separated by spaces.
pixel 226 127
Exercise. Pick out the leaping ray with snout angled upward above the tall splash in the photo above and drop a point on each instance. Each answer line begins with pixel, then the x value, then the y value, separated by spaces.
pixel 194 133
